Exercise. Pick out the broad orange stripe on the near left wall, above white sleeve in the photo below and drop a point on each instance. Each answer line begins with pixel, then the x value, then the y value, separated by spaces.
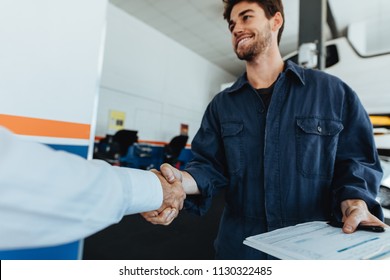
pixel 47 128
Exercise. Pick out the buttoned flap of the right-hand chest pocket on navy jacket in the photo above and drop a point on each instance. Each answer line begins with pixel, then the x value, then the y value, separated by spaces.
pixel 320 126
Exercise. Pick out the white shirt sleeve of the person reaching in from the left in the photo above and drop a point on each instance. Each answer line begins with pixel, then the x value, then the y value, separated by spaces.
pixel 52 197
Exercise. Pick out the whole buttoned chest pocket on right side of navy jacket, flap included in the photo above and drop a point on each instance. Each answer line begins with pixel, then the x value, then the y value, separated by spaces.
pixel 316 141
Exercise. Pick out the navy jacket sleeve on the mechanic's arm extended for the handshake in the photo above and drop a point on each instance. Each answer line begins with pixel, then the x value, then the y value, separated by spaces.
pixel 208 167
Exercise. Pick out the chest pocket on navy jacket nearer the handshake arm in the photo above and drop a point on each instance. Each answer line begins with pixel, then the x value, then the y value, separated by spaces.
pixel 232 140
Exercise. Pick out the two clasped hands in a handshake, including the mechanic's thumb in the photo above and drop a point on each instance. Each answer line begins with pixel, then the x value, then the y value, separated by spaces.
pixel 173 196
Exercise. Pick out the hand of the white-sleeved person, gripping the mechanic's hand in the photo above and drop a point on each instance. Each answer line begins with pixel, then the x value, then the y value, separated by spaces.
pixel 173 200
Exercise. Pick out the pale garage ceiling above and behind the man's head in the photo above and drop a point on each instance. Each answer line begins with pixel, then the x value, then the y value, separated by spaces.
pixel 199 25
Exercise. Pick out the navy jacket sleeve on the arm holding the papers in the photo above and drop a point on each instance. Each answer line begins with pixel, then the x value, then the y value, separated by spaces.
pixel 358 171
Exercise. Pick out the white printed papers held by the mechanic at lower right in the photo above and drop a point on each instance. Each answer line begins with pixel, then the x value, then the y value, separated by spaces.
pixel 320 241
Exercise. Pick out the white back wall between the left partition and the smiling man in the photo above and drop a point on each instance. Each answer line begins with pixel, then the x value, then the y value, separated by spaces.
pixel 158 83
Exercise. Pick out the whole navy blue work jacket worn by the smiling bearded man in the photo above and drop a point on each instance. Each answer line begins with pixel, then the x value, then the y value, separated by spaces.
pixel 294 163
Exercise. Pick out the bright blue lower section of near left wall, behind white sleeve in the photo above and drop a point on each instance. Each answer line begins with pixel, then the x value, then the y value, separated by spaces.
pixel 63 252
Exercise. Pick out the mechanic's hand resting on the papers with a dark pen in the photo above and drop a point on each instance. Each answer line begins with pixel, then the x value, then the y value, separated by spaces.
pixel 355 212
